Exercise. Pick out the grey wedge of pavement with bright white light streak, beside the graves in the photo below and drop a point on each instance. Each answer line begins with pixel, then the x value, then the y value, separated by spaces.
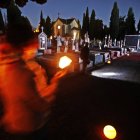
pixel 126 68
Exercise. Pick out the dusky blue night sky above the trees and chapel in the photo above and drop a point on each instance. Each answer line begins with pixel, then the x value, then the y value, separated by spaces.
pixel 76 8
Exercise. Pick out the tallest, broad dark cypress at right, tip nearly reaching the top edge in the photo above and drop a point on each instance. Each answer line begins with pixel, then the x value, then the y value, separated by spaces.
pixel 114 21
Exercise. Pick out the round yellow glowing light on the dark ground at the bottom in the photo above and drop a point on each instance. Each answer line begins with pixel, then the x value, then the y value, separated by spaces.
pixel 110 132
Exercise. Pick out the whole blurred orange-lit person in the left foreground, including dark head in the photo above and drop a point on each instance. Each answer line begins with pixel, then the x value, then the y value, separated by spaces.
pixel 25 95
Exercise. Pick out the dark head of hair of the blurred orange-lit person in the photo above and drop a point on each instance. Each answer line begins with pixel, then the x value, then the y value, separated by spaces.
pixel 19 33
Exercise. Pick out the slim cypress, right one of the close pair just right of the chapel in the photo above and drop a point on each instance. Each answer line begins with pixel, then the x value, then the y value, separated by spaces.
pixel 91 25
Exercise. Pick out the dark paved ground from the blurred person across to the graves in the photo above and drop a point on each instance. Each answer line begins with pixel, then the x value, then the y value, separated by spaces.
pixel 86 103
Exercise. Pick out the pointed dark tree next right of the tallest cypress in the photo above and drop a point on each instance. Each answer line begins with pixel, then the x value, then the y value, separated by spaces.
pixel 130 22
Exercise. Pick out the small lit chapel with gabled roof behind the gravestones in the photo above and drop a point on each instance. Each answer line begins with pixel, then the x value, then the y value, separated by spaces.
pixel 66 27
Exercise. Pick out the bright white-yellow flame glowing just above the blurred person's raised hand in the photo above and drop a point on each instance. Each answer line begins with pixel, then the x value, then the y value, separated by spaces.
pixel 64 62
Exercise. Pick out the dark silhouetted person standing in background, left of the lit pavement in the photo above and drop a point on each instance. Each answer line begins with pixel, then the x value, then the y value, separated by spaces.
pixel 84 55
